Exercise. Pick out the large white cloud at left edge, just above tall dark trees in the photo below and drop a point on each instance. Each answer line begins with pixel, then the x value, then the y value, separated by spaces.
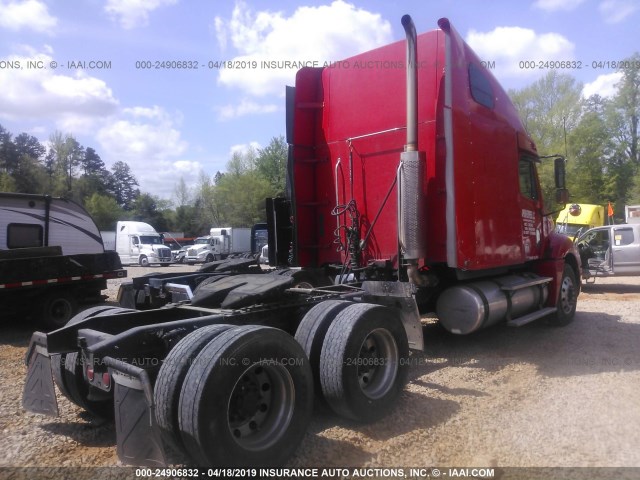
pixel 34 91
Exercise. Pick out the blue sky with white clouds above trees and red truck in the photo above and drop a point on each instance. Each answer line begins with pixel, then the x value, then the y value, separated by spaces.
pixel 170 122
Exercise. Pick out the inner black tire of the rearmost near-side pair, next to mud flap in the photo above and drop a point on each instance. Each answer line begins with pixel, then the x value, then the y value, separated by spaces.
pixel 171 377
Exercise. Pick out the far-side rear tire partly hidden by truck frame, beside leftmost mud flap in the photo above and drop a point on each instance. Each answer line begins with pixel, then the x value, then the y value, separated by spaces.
pixel 77 389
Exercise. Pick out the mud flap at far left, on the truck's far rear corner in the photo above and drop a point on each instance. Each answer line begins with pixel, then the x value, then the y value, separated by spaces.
pixel 39 395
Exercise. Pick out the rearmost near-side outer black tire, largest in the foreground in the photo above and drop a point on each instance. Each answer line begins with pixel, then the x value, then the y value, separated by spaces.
pixel 243 406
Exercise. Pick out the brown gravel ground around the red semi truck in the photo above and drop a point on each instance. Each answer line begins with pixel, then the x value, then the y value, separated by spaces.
pixel 529 397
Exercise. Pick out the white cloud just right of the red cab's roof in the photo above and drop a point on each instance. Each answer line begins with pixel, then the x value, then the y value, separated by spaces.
pixel 510 46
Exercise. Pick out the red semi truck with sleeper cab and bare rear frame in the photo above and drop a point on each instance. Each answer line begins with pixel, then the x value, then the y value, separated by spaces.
pixel 413 188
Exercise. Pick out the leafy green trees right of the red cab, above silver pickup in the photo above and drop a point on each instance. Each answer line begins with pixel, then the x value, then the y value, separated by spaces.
pixel 599 136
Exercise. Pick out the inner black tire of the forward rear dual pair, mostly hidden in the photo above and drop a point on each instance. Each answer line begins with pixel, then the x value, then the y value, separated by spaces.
pixel 312 331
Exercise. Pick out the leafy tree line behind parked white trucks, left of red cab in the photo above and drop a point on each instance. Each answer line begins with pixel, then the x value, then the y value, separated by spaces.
pixel 65 168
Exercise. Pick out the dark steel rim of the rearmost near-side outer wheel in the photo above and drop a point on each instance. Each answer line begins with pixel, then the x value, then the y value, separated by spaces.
pixel 261 405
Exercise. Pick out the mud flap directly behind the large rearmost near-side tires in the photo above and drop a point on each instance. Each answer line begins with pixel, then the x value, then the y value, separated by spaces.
pixel 137 433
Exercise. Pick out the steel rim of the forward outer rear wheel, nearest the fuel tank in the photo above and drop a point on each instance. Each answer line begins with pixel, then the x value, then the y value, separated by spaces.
pixel 377 363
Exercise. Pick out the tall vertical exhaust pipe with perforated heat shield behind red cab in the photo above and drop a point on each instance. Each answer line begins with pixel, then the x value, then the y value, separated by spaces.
pixel 411 170
